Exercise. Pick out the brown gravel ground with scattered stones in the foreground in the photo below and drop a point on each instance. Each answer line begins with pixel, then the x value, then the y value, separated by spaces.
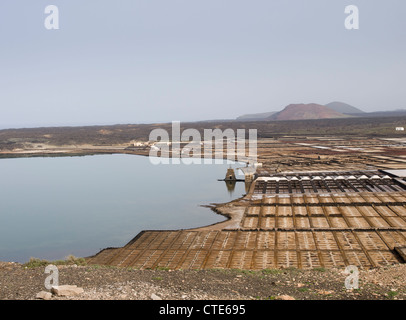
pixel 108 283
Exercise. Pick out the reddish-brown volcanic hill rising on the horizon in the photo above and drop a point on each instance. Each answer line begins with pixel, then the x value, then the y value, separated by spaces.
pixel 306 111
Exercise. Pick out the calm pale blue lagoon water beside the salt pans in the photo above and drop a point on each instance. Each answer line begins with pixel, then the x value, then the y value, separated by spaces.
pixel 53 207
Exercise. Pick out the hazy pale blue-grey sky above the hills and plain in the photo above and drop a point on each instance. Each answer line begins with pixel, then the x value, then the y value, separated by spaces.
pixel 135 61
